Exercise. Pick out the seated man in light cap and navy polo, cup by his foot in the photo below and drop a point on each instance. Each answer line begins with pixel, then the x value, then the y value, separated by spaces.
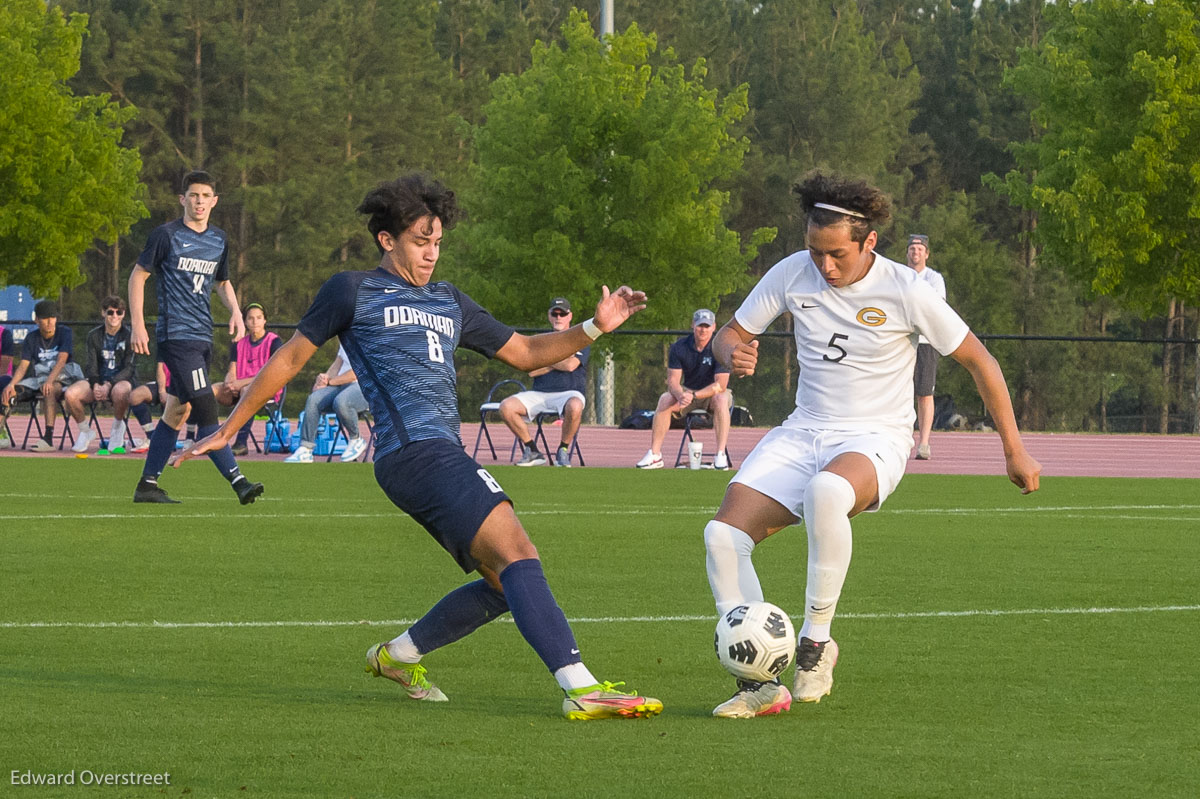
pixel 694 381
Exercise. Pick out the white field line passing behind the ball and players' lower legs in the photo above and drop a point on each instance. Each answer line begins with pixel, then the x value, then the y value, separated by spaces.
pixel 599 620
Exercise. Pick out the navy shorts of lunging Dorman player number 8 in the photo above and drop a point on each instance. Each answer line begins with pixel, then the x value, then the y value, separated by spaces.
pixel 441 486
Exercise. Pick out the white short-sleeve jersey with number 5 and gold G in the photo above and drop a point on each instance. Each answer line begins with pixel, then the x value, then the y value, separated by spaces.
pixel 856 346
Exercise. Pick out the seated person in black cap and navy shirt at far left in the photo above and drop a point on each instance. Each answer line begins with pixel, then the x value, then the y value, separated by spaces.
pixel 50 353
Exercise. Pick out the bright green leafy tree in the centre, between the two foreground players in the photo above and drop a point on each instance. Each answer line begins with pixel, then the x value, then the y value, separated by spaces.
pixel 595 167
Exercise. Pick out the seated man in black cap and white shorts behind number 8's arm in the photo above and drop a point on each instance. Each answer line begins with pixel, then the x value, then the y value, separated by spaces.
pixel 557 389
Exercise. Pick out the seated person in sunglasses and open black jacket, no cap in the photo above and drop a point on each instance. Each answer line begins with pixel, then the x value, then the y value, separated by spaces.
pixel 109 367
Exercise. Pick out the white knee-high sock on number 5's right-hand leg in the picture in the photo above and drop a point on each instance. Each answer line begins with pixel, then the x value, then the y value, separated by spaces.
pixel 829 501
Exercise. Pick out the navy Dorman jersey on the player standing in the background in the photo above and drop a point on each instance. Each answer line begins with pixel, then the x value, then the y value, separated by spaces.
pixel 185 266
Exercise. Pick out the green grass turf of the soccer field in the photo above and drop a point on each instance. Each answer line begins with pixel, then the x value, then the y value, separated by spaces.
pixel 1027 702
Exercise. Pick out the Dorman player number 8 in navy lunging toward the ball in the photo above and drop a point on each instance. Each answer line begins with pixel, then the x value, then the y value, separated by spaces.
pixel 401 331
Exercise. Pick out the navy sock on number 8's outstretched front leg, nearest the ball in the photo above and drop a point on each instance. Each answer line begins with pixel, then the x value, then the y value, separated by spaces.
pixel 538 616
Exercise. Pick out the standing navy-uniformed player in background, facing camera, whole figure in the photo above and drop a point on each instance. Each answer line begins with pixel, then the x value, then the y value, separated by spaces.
pixel 188 259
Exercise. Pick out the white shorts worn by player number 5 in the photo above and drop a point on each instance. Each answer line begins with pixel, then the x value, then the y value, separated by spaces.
pixel 782 465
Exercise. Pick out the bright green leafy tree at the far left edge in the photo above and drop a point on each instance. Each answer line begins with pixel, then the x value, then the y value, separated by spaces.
pixel 64 175
